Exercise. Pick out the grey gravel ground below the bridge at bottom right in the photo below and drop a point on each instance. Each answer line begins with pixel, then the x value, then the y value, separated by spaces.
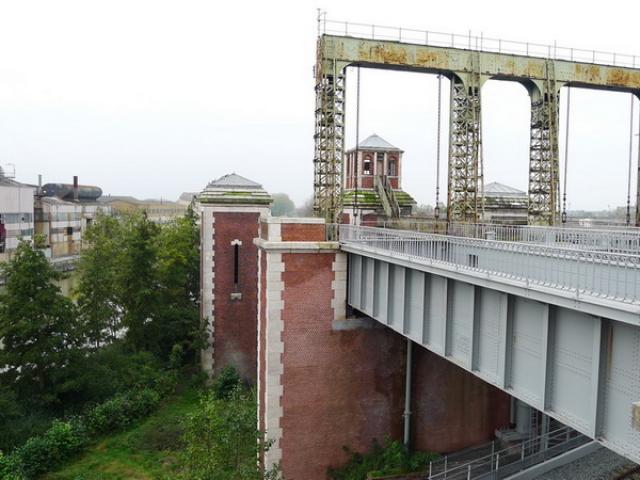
pixel 597 466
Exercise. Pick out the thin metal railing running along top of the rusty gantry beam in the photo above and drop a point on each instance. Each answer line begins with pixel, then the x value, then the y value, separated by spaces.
pixel 474 42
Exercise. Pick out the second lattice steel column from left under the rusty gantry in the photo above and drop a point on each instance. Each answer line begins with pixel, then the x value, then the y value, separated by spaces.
pixel 464 147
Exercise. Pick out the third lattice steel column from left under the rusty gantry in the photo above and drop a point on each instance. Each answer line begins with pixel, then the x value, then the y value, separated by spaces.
pixel 544 153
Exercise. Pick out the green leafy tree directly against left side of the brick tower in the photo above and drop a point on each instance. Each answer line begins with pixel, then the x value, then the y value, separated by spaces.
pixel 178 282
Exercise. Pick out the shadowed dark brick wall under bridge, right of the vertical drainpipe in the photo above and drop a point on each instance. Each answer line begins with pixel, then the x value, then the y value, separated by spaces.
pixel 451 408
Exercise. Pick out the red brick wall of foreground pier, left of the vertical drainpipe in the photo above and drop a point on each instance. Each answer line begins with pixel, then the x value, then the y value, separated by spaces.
pixel 341 388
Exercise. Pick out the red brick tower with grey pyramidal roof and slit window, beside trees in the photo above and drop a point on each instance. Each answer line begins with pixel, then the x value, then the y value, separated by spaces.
pixel 230 212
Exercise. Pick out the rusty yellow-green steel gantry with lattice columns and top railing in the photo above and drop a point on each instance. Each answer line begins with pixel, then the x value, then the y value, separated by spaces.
pixel 468 62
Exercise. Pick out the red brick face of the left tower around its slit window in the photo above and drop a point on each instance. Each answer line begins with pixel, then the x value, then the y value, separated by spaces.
pixel 235 327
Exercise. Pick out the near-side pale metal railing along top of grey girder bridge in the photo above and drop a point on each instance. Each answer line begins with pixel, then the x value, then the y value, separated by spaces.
pixel 614 276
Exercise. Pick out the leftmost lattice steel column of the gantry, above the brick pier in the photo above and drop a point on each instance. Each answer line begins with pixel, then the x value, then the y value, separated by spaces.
pixel 329 137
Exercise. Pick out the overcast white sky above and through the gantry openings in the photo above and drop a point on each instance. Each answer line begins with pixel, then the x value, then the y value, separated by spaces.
pixel 153 98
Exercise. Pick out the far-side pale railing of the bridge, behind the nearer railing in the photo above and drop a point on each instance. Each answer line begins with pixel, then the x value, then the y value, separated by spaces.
pixel 614 240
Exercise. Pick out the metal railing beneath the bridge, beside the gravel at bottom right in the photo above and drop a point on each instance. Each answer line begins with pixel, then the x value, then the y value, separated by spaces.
pixel 510 460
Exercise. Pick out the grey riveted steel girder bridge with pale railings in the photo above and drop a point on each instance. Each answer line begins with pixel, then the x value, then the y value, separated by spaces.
pixel 549 315
